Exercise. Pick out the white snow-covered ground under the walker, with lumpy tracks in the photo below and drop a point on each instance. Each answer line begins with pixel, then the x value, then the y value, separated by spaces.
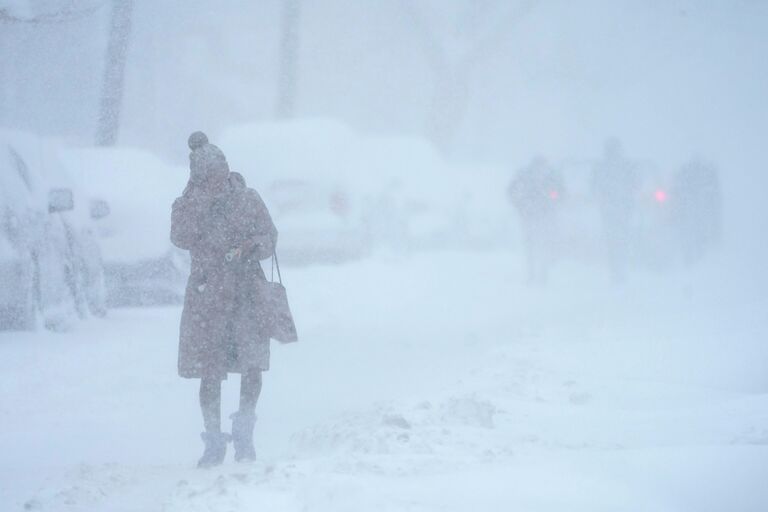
pixel 431 382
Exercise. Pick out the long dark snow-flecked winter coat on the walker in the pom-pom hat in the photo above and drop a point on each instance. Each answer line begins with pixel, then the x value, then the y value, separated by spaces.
pixel 222 324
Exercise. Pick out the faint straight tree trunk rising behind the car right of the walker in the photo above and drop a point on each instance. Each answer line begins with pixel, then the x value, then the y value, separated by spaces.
pixel 289 59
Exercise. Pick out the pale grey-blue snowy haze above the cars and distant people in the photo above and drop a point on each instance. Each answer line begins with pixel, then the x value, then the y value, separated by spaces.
pixel 672 79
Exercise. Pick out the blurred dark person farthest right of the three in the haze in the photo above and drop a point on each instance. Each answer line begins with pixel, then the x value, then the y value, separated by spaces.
pixel 696 206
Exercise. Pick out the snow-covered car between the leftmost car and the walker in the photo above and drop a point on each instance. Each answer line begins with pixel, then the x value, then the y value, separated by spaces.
pixel 141 266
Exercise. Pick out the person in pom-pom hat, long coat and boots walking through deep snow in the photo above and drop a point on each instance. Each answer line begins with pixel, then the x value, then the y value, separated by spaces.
pixel 227 229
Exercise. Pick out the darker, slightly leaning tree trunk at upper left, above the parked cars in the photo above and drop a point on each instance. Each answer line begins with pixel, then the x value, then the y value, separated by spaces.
pixel 114 73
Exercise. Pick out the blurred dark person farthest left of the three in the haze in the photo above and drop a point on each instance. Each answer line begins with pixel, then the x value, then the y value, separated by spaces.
pixel 536 192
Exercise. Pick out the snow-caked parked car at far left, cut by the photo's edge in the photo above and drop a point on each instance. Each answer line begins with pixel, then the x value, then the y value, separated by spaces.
pixel 50 264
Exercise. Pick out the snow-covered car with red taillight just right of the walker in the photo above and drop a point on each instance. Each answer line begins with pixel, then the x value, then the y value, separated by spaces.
pixel 303 172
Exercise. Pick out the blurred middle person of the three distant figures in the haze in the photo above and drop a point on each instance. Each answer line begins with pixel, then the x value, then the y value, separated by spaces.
pixel 615 186
